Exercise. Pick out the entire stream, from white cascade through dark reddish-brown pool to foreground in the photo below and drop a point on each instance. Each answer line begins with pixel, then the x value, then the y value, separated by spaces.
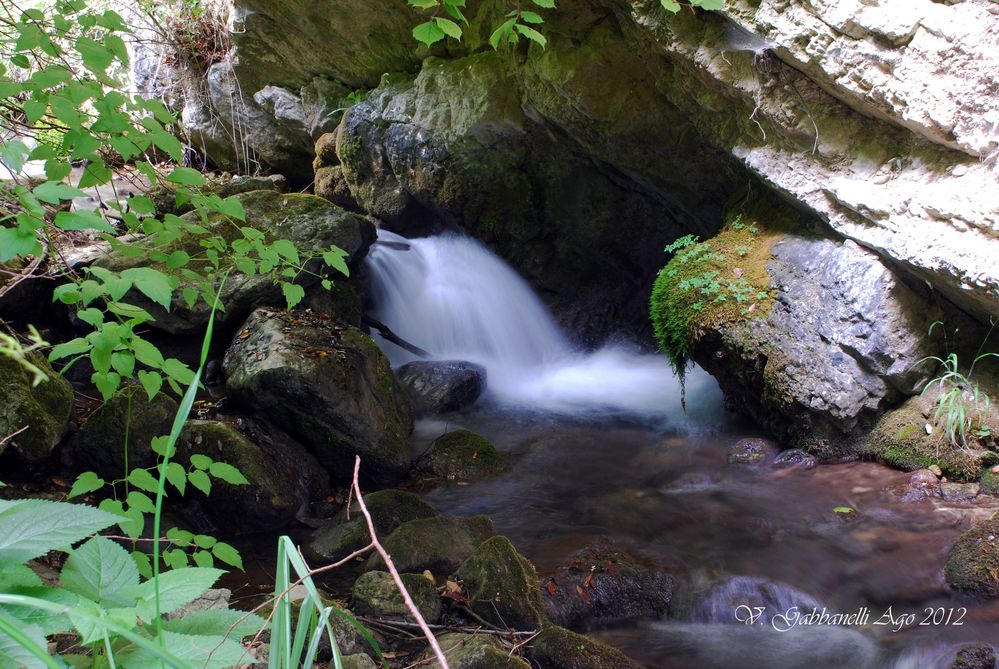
pixel 600 448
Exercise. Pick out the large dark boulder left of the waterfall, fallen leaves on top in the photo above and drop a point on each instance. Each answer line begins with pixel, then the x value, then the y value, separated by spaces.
pixel 328 386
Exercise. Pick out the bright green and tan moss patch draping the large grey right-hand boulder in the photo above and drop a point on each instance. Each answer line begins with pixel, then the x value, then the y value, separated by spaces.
pixel 721 280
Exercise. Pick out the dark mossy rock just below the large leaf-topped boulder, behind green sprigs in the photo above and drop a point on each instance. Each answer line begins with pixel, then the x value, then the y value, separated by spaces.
pixel 283 477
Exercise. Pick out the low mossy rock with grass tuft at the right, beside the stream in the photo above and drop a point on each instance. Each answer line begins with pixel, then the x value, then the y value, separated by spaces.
pixel 900 440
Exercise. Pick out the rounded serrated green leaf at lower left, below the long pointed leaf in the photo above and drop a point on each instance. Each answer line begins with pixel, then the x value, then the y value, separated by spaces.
pixel 102 571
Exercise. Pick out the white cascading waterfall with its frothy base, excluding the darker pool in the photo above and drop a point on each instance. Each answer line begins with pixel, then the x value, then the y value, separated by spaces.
pixel 452 297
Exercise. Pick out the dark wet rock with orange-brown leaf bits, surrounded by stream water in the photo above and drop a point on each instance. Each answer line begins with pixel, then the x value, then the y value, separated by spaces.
pixel 616 585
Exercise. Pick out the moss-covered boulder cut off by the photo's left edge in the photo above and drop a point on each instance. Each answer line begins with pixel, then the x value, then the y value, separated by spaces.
pixel 44 409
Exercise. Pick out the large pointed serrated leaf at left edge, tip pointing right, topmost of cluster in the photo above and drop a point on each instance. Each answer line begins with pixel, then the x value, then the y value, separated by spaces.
pixel 34 527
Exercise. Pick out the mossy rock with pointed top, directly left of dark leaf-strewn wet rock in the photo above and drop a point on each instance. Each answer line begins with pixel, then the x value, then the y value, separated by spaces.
pixel 502 586
